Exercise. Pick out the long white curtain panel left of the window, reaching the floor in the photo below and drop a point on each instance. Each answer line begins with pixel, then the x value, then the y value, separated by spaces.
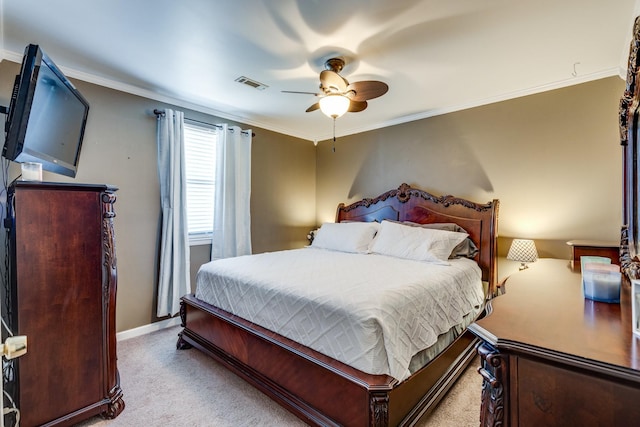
pixel 174 278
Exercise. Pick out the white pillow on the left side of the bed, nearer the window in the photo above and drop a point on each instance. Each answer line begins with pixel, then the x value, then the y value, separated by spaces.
pixel 346 236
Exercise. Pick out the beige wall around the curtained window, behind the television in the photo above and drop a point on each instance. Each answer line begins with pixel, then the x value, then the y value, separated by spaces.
pixel 120 149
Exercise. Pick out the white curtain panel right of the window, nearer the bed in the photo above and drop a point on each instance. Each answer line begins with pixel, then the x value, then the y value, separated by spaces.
pixel 231 217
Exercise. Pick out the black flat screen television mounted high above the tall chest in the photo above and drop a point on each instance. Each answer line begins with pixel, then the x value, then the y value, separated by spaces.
pixel 47 116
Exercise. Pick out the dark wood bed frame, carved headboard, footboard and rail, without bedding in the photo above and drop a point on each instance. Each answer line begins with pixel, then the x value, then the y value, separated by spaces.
pixel 319 389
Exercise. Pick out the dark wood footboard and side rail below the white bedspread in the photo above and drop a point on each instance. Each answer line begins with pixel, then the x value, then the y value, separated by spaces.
pixel 319 390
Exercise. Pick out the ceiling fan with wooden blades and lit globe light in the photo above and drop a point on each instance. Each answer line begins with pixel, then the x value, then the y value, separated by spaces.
pixel 338 96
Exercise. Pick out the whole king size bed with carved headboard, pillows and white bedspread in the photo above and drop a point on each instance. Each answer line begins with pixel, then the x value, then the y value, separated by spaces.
pixel 367 326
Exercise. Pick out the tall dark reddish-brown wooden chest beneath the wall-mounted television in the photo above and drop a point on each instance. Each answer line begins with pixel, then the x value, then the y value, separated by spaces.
pixel 61 294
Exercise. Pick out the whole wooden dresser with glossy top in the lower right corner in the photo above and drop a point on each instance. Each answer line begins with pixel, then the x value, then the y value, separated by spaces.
pixel 550 357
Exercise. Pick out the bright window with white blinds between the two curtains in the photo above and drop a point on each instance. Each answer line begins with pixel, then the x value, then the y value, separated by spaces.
pixel 200 162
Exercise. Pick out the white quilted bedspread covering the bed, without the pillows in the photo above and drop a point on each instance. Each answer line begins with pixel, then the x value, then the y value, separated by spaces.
pixel 371 312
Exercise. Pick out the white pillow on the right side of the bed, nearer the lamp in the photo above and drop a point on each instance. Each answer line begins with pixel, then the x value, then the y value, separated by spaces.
pixel 416 243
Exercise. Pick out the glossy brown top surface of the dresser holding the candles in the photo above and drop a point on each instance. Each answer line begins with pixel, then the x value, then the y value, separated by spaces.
pixel 544 309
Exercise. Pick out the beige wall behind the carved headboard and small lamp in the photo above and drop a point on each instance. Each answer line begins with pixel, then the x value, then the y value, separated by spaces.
pixel 552 159
